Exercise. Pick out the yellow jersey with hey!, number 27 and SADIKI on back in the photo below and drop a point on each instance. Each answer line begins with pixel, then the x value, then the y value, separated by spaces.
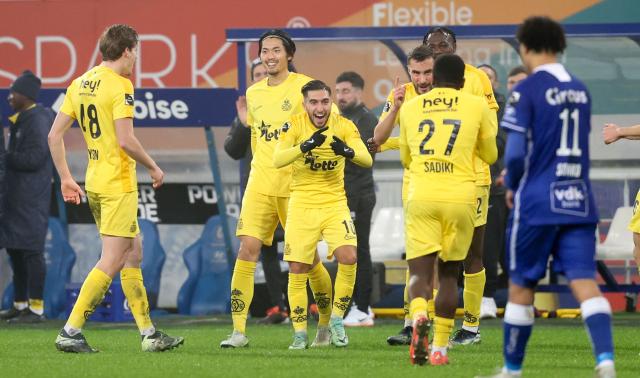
pixel 439 134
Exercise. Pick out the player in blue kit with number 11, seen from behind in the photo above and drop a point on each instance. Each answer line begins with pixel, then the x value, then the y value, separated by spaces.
pixel 548 119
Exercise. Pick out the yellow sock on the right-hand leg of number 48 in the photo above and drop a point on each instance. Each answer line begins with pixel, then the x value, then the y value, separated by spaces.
pixel 134 290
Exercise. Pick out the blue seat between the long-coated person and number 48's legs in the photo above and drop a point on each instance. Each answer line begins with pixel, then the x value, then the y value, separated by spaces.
pixel 59 260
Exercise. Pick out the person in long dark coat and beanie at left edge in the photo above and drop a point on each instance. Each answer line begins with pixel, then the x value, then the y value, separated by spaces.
pixel 28 182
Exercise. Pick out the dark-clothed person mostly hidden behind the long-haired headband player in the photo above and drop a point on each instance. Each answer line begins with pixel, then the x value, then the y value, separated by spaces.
pixel 238 145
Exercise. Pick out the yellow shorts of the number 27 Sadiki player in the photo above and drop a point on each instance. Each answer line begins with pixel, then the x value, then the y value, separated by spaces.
pixel 442 227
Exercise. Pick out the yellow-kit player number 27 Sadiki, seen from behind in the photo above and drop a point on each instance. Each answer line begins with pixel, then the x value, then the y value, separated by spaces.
pixel 441 133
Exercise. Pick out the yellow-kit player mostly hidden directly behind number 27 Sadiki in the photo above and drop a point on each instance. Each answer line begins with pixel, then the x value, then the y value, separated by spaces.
pixel 443 41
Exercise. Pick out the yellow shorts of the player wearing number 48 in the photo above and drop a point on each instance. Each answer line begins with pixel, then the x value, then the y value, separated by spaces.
pixel 115 214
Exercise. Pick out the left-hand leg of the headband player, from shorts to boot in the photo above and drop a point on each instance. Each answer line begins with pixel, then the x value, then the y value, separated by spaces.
pixel 256 225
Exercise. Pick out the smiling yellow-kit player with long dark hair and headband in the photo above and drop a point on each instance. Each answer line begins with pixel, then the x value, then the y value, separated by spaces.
pixel 270 103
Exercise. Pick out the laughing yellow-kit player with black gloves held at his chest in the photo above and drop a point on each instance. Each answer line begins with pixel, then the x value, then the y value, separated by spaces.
pixel 317 144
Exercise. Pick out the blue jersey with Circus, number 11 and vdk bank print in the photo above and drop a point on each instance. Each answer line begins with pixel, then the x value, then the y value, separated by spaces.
pixel 550 112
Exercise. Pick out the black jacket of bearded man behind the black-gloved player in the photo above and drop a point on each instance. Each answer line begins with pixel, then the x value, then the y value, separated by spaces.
pixel 358 180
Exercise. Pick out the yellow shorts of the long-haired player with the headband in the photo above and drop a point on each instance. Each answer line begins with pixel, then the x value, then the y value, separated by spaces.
pixel 259 216
